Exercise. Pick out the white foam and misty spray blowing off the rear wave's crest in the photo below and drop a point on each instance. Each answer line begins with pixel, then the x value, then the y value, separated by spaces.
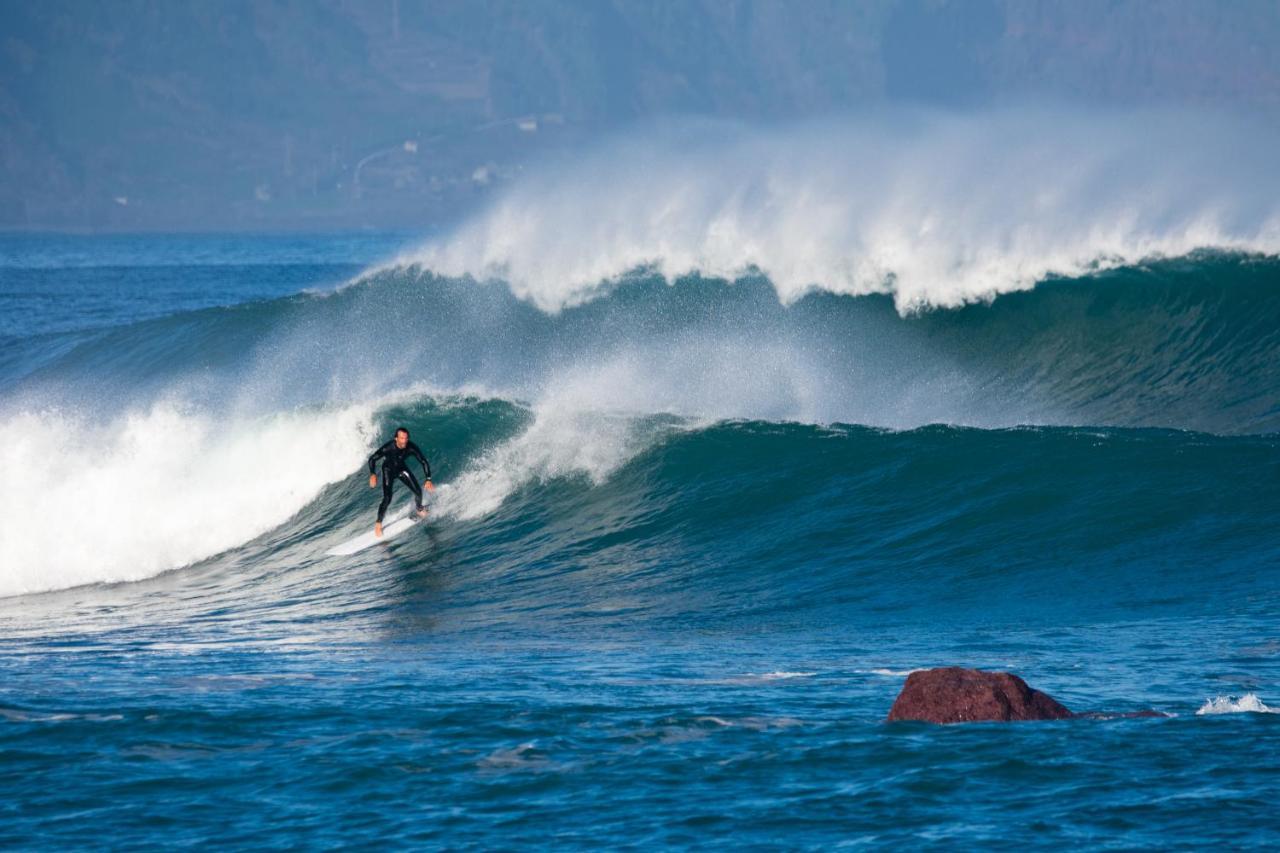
pixel 938 211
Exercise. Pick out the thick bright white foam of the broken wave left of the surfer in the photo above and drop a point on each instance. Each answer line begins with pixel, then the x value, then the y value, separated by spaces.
pixel 99 500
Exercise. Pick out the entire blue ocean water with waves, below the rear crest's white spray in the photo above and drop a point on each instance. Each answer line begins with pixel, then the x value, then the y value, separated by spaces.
pixel 687 545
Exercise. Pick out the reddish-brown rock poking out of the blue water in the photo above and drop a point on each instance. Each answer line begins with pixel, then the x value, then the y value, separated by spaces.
pixel 957 695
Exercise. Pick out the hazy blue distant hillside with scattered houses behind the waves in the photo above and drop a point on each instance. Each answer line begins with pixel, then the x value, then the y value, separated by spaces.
pixel 156 115
